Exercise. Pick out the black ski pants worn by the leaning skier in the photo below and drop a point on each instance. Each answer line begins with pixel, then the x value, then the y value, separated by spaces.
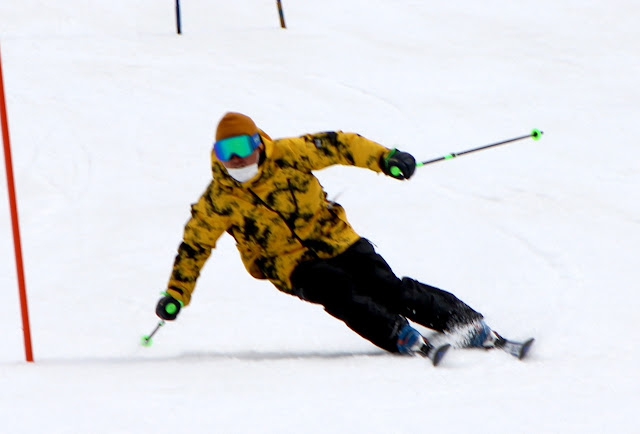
pixel 359 288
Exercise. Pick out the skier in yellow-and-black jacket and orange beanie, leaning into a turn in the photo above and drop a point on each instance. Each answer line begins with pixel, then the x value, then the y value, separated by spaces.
pixel 264 194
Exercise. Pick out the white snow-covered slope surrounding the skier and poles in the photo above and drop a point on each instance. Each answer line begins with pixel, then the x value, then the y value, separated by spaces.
pixel 112 117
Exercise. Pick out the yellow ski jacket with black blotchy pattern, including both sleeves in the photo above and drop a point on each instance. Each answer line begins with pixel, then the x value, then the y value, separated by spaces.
pixel 281 217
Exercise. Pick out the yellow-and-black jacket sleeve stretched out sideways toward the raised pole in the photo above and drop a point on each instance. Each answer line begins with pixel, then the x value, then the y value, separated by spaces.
pixel 320 150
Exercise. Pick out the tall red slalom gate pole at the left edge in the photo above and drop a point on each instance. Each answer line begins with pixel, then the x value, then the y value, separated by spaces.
pixel 13 205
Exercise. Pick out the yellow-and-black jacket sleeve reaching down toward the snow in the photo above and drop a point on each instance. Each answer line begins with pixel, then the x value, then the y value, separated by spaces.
pixel 200 236
